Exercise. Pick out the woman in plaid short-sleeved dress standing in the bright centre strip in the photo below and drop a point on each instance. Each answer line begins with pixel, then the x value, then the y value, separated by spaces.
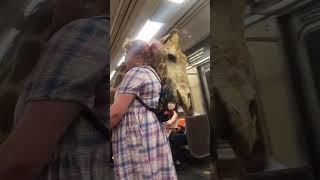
pixel 140 147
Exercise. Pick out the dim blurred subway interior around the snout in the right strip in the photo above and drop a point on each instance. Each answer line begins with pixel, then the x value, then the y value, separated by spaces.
pixel 282 38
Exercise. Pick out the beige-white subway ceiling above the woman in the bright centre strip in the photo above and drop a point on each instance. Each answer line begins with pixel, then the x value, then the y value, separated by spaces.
pixel 192 18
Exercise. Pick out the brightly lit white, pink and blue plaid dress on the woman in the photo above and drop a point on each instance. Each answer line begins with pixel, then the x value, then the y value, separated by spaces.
pixel 140 147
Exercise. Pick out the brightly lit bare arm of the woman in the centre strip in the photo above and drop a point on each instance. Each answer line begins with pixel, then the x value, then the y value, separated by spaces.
pixel 119 108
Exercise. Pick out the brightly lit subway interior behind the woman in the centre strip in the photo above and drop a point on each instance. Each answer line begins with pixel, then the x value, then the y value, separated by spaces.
pixel 148 20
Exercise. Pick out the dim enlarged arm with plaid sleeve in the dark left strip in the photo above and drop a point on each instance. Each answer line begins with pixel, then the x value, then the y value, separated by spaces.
pixel 53 100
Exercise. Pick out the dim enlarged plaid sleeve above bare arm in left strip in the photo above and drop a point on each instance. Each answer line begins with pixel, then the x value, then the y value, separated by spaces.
pixel 72 65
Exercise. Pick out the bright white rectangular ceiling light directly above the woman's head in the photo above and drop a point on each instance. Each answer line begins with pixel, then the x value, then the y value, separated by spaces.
pixel 149 30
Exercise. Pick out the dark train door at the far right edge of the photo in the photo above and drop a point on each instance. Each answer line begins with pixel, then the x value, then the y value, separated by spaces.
pixel 303 47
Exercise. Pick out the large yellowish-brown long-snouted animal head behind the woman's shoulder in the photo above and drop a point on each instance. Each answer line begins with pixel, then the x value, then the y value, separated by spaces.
pixel 170 65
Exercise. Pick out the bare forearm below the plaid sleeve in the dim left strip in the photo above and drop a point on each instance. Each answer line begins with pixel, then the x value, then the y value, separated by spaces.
pixel 34 139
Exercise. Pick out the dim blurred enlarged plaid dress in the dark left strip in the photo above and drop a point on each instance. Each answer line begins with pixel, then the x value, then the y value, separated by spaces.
pixel 73 68
